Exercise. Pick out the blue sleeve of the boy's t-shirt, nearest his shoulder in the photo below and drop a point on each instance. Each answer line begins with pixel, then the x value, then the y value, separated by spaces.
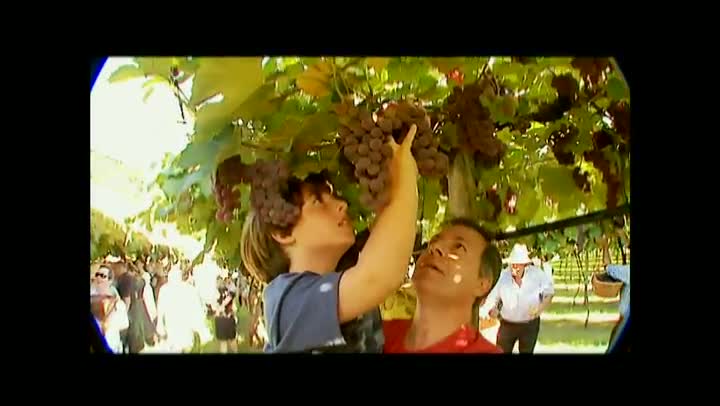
pixel 307 318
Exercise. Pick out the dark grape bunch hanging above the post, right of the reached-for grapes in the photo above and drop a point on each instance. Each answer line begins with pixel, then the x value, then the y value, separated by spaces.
pixel 475 127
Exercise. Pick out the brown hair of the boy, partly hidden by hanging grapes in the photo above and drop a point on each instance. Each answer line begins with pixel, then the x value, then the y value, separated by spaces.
pixel 261 255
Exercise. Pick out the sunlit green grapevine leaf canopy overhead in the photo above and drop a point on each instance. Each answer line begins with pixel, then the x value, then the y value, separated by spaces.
pixel 281 108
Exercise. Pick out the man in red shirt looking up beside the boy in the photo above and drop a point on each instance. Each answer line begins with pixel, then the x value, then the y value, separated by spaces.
pixel 457 270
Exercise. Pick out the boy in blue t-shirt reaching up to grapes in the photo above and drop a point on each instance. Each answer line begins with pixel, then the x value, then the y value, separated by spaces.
pixel 308 305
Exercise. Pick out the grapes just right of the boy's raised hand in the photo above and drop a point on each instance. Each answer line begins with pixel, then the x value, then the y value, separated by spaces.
pixel 431 162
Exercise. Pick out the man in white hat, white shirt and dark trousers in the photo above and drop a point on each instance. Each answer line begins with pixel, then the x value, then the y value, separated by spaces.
pixel 522 293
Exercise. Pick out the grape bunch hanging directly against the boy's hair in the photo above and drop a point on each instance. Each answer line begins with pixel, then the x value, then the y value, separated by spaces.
pixel 268 180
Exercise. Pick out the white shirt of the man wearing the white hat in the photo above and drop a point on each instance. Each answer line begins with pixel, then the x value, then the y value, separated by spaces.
pixel 517 301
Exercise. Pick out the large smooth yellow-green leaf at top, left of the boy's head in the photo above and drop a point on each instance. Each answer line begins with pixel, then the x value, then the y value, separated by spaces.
pixel 235 78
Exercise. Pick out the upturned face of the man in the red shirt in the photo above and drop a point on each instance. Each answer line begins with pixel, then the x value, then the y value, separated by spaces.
pixel 450 266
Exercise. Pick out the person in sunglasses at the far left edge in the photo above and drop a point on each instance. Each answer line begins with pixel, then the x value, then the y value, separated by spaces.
pixel 110 315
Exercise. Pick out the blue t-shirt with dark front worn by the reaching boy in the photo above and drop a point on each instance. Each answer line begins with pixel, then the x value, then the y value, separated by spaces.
pixel 307 319
